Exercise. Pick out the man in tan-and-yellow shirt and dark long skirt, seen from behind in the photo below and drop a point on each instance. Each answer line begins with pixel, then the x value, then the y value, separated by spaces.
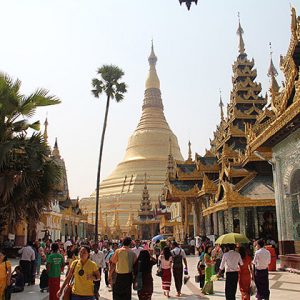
pixel 123 259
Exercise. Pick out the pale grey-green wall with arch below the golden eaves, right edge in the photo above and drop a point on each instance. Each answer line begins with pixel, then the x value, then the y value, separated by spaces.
pixel 286 156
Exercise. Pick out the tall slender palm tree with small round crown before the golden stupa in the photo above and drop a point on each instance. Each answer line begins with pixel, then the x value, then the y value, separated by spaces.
pixel 110 85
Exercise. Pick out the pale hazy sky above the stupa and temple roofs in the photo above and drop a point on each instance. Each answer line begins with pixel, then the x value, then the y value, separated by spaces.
pixel 60 44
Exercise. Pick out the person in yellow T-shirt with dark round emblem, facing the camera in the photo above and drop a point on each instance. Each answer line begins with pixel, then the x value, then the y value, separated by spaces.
pixel 85 272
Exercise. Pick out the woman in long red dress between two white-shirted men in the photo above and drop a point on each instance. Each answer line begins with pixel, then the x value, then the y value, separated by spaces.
pixel 245 274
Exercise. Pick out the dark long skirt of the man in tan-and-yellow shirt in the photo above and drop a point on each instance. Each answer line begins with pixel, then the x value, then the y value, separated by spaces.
pixel 122 287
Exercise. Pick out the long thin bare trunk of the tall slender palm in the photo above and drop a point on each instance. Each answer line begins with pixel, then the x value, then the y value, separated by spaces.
pixel 99 168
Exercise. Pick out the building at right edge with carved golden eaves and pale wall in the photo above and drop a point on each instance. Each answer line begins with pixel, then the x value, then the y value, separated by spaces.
pixel 277 131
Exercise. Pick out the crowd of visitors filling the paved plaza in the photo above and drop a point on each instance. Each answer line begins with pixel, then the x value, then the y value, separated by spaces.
pixel 128 264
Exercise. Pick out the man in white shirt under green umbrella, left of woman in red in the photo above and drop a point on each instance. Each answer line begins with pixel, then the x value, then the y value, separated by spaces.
pixel 231 261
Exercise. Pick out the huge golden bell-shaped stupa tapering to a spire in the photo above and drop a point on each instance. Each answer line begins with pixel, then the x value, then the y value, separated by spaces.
pixel 147 152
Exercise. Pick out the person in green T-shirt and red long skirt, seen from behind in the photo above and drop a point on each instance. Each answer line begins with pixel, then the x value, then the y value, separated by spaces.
pixel 54 265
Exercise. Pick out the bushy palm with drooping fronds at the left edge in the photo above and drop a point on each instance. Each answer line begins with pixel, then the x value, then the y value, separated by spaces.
pixel 27 174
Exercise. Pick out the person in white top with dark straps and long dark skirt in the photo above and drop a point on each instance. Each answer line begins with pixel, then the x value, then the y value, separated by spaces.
pixel 179 256
